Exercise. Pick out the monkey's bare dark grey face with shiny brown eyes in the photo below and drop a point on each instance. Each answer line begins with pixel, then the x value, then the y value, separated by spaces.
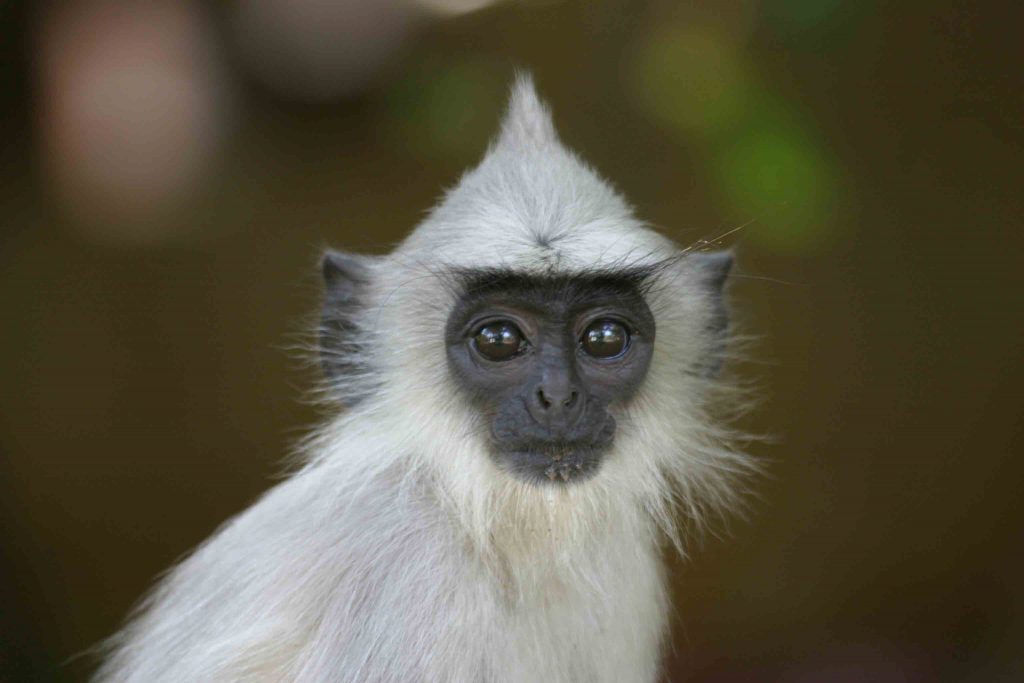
pixel 543 360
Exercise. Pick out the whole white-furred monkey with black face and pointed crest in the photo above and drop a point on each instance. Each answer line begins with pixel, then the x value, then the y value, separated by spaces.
pixel 527 381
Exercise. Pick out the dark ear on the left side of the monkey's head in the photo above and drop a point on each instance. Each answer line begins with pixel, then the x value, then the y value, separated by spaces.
pixel 342 338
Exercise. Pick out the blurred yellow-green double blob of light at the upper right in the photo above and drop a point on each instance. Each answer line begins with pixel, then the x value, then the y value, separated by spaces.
pixel 766 162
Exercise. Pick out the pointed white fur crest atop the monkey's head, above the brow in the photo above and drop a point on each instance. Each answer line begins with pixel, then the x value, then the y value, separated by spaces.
pixel 533 205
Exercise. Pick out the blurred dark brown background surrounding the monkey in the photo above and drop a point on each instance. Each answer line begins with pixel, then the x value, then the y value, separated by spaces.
pixel 169 172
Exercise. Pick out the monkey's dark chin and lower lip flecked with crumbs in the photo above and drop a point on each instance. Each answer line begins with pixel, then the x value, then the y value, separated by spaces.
pixel 553 464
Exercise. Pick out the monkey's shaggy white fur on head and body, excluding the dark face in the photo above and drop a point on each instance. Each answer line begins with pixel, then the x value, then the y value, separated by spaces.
pixel 399 552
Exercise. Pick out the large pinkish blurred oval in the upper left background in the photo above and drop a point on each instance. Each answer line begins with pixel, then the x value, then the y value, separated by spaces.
pixel 131 114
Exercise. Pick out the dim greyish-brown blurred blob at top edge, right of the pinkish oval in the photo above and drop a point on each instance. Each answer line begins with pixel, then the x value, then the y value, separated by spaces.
pixel 320 50
